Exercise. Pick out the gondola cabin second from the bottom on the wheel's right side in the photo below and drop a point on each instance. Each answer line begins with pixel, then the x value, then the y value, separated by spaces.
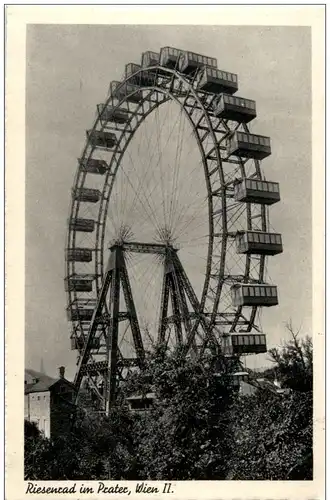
pixel 254 295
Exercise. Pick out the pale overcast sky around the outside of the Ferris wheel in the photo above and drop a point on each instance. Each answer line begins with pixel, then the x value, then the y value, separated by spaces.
pixel 68 73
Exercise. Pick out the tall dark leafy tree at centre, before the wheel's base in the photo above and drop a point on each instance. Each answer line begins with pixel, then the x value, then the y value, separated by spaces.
pixel 183 436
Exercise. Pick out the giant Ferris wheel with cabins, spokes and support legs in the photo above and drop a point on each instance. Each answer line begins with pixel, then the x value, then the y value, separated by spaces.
pixel 169 230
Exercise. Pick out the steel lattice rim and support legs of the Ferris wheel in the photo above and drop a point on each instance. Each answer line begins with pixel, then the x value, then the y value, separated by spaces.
pixel 96 310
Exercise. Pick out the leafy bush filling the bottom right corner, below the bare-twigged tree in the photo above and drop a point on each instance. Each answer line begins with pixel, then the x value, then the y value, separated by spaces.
pixel 272 437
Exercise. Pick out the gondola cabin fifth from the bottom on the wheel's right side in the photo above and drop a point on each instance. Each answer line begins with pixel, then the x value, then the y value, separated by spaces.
pixel 248 145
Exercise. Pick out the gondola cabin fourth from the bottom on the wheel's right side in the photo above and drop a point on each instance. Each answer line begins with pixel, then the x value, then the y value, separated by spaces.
pixel 257 191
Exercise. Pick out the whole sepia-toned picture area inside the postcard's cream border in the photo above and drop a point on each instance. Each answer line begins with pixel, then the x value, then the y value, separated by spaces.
pixel 169 328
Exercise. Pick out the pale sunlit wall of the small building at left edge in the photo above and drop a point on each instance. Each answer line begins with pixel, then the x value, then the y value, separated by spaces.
pixel 37 409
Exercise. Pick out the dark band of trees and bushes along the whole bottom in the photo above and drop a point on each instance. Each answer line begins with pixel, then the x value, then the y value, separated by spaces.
pixel 198 428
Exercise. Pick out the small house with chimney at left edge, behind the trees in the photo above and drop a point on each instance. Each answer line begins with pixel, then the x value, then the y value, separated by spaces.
pixel 49 402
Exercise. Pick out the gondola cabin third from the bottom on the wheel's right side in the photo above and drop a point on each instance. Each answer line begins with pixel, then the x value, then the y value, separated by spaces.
pixel 258 242
